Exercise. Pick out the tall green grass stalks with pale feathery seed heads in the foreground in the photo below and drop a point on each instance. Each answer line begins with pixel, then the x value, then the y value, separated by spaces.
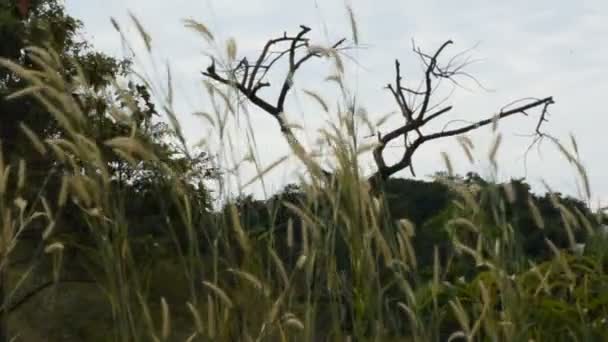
pixel 340 269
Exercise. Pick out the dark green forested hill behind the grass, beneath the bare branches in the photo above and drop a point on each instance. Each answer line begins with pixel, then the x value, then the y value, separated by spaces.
pixel 430 205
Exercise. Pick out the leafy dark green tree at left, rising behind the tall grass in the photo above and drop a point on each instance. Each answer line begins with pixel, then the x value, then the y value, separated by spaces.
pixel 42 27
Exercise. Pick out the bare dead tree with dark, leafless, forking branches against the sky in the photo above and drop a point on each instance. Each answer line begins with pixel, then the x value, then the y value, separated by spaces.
pixel 415 105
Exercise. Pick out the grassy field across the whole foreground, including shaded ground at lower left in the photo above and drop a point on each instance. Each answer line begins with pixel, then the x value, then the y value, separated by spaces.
pixel 329 263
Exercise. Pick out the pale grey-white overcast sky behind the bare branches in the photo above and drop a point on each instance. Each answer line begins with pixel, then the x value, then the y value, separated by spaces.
pixel 521 49
